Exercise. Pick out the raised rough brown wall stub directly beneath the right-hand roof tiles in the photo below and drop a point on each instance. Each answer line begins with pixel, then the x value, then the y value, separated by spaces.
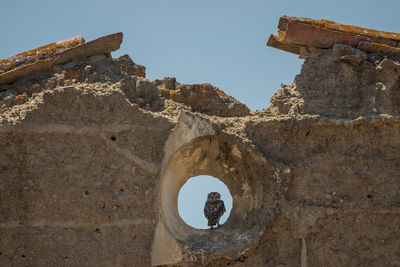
pixel 343 82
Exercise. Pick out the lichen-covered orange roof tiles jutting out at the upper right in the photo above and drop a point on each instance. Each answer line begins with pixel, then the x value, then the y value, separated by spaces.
pixel 295 33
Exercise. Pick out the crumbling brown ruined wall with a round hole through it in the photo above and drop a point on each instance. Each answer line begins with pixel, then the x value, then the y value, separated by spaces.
pixel 93 156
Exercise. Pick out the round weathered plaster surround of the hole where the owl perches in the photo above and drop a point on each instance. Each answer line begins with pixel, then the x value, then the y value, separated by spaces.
pixel 252 182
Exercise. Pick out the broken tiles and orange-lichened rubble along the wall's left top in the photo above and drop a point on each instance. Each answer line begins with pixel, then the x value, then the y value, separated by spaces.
pixel 72 61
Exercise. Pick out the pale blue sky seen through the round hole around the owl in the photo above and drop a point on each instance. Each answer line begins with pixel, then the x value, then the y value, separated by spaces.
pixel 193 196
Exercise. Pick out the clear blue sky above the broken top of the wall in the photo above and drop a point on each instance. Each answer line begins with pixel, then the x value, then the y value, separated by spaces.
pixel 222 42
